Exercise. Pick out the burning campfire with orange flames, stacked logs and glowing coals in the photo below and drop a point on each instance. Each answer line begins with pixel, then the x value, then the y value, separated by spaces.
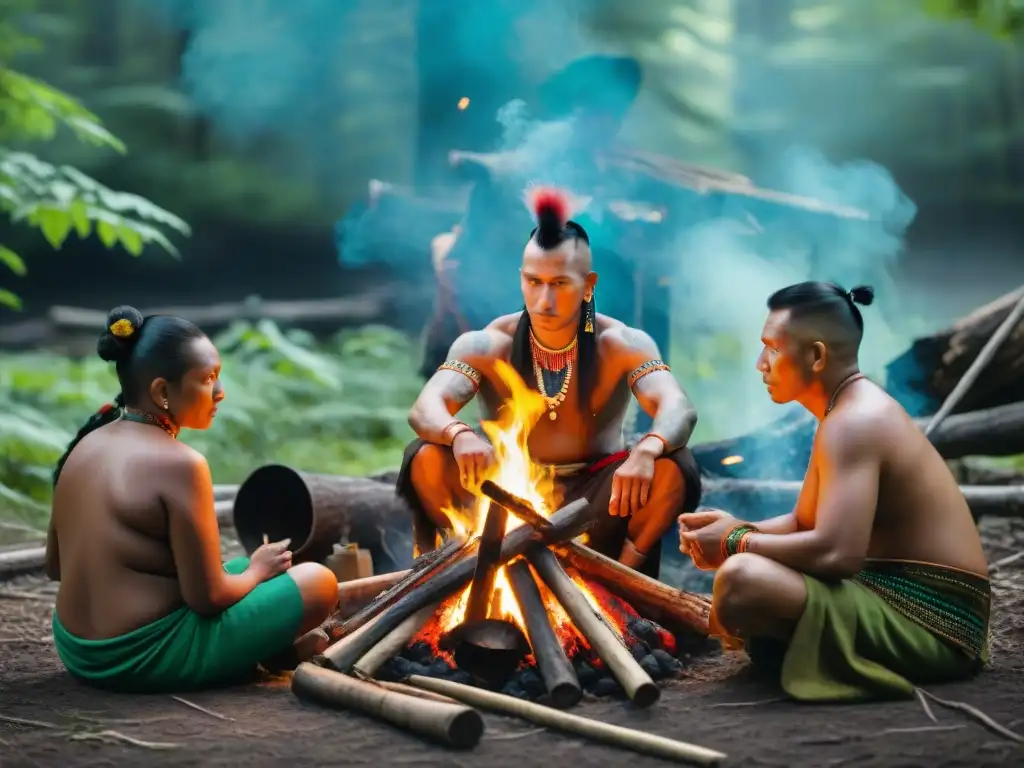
pixel 514 601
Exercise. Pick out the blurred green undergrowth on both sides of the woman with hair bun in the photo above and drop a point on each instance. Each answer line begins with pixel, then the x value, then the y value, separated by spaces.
pixel 340 408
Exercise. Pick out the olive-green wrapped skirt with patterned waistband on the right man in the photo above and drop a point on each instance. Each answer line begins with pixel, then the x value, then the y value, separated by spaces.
pixel 895 626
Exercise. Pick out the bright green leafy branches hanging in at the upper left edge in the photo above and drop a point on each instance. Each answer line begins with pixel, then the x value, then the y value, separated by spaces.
pixel 60 200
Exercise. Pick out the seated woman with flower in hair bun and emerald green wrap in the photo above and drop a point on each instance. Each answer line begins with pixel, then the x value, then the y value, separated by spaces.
pixel 146 604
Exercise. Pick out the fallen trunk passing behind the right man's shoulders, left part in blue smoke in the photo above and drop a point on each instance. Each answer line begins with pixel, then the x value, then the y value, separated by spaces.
pixel 782 450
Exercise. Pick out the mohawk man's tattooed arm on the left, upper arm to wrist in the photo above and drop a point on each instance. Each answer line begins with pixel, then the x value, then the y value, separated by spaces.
pixel 455 385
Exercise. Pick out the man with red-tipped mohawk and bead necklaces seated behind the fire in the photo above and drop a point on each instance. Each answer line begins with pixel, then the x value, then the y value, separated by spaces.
pixel 586 365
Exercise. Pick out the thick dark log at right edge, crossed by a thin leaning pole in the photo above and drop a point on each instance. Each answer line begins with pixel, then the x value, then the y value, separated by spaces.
pixel 925 376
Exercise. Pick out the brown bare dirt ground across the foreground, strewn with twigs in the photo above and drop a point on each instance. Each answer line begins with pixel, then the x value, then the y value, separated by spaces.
pixel 47 719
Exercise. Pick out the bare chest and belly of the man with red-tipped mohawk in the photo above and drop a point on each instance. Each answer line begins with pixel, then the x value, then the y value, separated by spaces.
pixel 574 437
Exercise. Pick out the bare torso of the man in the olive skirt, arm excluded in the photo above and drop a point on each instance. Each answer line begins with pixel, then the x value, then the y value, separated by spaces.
pixel 921 515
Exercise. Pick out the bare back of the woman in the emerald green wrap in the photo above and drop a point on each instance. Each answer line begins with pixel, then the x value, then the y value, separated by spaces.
pixel 117 570
